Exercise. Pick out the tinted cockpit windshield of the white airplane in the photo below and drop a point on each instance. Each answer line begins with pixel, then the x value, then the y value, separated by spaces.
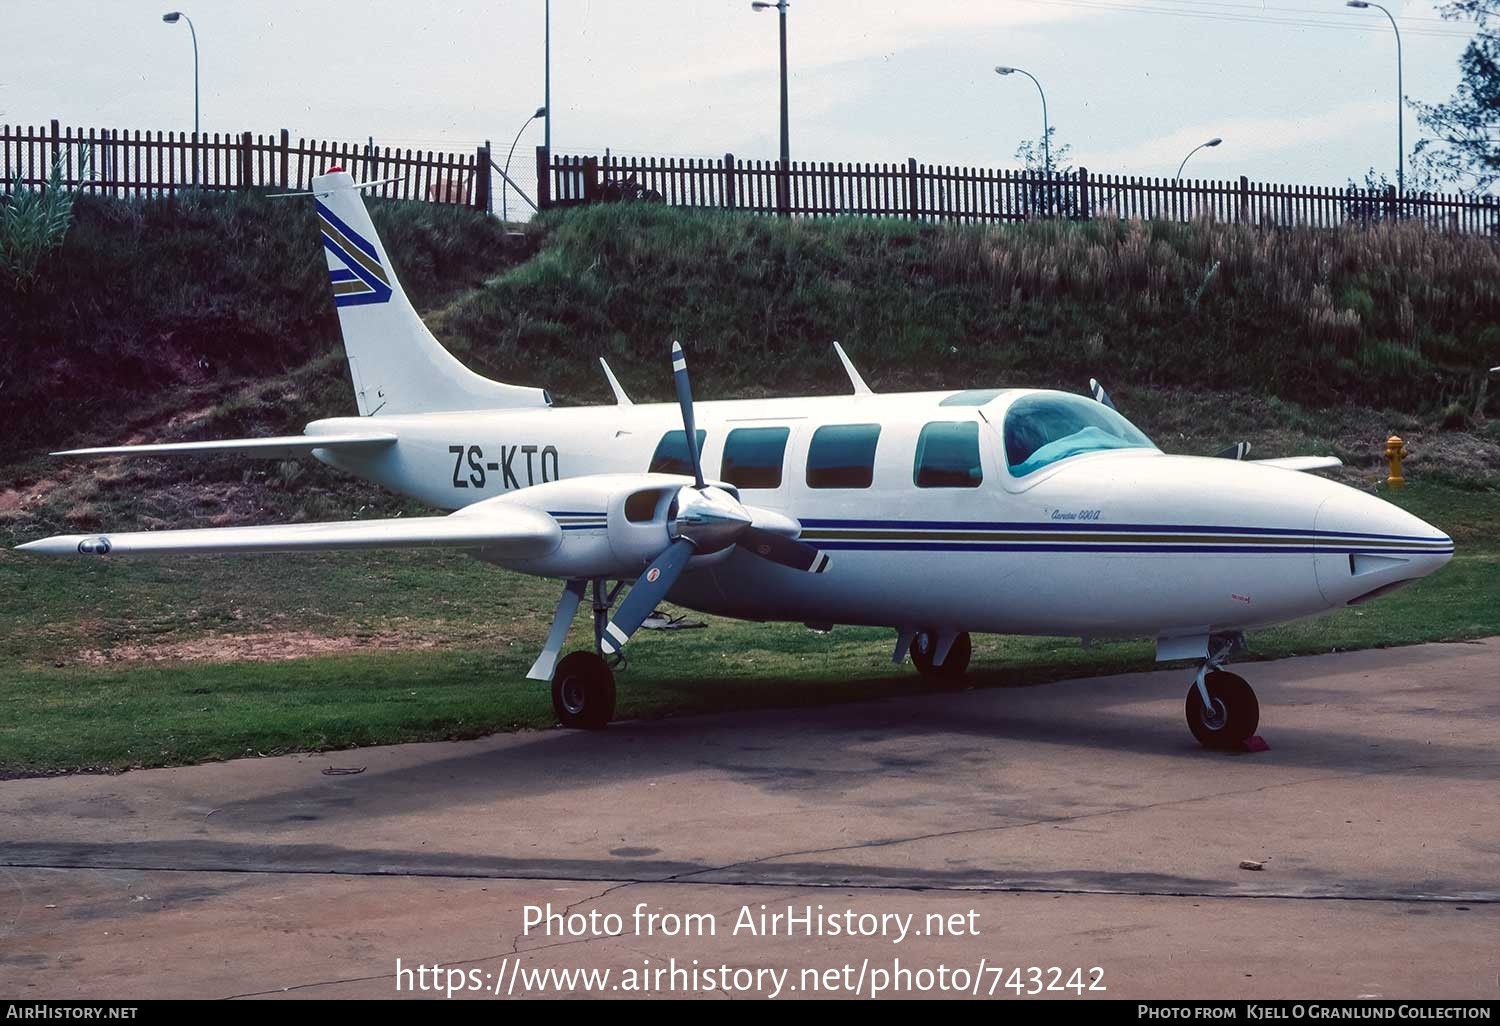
pixel 1043 428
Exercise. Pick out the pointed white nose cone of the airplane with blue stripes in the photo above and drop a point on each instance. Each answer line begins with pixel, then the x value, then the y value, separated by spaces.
pixel 1369 548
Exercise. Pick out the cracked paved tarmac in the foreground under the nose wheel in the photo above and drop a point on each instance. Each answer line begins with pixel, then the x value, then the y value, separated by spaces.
pixel 1073 826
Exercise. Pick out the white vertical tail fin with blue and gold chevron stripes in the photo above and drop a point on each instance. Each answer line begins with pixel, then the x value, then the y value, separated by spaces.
pixel 397 365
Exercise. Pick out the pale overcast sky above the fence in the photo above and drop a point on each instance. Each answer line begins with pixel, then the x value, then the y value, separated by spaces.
pixel 1301 91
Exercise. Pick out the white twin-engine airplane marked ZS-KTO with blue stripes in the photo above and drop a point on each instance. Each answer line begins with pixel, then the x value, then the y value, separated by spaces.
pixel 938 514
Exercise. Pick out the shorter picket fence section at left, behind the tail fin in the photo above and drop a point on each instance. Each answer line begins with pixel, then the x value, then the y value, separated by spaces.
pixel 124 163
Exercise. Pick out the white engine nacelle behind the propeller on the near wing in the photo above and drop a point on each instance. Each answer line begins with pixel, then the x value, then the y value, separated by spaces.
pixel 613 524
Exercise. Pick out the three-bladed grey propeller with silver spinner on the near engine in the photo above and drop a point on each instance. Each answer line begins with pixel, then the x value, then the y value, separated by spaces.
pixel 707 520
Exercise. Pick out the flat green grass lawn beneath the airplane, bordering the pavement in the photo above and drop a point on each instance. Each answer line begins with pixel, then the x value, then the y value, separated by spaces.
pixel 443 644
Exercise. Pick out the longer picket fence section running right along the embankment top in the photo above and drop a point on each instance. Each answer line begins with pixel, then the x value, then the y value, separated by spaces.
pixel 970 194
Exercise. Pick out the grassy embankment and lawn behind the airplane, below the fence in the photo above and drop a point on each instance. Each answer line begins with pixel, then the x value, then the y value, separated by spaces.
pixel 212 319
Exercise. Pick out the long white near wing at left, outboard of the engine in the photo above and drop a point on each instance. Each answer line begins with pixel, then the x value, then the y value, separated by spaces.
pixel 512 532
